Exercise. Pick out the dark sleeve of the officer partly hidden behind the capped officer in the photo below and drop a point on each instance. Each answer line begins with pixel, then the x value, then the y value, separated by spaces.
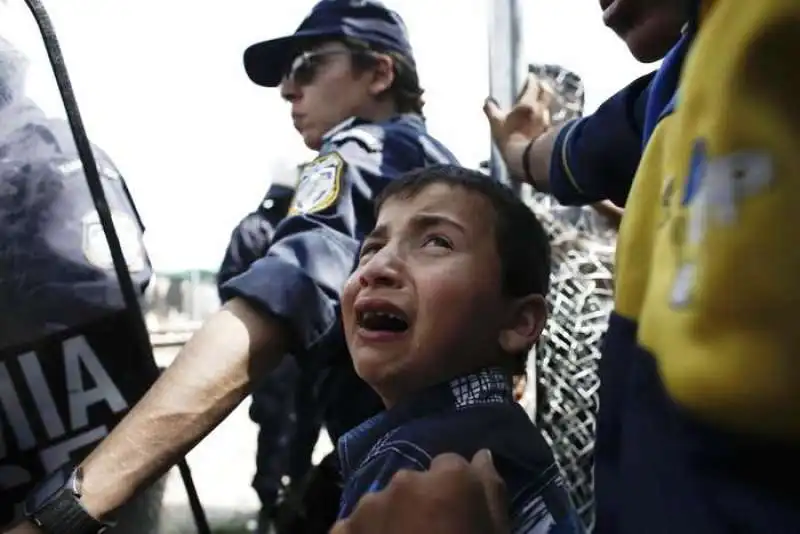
pixel 251 238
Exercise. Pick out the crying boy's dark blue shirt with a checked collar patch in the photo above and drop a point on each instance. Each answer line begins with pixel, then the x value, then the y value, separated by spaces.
pixel 463 416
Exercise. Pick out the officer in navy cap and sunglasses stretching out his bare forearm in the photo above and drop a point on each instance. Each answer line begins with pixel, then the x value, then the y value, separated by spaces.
pixel 349 74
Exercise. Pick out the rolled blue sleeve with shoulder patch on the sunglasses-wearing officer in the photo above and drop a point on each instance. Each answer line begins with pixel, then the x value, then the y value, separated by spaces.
pixel 301 277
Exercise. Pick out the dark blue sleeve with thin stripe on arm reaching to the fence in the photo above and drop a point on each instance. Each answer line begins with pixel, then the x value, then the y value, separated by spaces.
pixel 595 158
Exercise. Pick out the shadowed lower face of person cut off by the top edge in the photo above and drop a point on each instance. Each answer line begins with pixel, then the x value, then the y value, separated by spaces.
pixel 648 27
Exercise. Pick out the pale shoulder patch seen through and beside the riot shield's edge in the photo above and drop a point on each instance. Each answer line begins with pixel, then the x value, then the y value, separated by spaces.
pixel 96 249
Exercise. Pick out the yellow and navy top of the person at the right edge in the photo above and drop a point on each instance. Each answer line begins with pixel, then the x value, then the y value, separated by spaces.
pixel 697 426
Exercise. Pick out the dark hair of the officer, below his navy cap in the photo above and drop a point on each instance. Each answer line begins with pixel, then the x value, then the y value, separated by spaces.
pixel 405 91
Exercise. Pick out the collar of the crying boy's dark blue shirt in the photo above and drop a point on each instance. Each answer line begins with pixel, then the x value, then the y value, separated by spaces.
pixel 488 386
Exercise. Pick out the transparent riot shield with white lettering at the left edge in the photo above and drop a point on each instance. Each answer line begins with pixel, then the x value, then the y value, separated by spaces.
pixel 74 350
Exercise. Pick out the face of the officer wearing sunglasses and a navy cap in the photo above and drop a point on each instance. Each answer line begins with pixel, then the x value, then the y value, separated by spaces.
pixel 324 90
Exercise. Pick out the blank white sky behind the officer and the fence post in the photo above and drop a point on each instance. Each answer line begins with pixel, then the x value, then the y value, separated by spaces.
pixel 162 89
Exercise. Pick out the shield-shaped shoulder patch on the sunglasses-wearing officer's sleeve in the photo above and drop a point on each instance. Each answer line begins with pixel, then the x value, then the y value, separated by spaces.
pixel 319 185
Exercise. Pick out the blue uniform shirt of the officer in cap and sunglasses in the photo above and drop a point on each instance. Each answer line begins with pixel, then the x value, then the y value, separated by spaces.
pixel 313 249
